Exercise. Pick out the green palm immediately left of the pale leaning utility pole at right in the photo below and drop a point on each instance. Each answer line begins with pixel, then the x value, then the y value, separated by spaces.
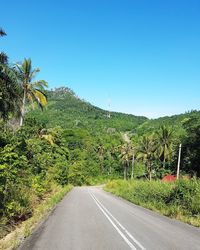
pixel 165 137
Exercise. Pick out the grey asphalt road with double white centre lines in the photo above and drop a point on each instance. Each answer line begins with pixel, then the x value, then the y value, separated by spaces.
pixel 90 219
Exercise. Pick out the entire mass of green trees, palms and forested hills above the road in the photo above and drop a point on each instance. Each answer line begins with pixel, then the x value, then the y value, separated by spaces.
pixel 52 137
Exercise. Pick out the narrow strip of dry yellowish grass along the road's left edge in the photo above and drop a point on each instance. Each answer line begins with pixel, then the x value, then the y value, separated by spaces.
pixel 12 240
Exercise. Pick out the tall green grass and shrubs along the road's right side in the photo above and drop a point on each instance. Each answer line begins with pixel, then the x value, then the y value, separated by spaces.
pixel 179 200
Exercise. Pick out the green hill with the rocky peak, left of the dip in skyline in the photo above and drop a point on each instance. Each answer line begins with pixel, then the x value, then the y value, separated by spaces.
pixel 67 110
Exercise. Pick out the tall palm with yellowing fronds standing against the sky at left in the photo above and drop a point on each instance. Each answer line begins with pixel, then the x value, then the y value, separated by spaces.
pixel 32 91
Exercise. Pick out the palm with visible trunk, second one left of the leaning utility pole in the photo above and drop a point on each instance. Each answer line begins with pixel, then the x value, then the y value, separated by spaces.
pixel 146 151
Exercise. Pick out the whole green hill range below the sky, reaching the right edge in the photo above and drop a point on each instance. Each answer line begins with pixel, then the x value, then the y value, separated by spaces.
pixel 67 110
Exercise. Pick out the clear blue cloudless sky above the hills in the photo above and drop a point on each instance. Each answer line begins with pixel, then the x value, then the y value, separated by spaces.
pixel 144 55
